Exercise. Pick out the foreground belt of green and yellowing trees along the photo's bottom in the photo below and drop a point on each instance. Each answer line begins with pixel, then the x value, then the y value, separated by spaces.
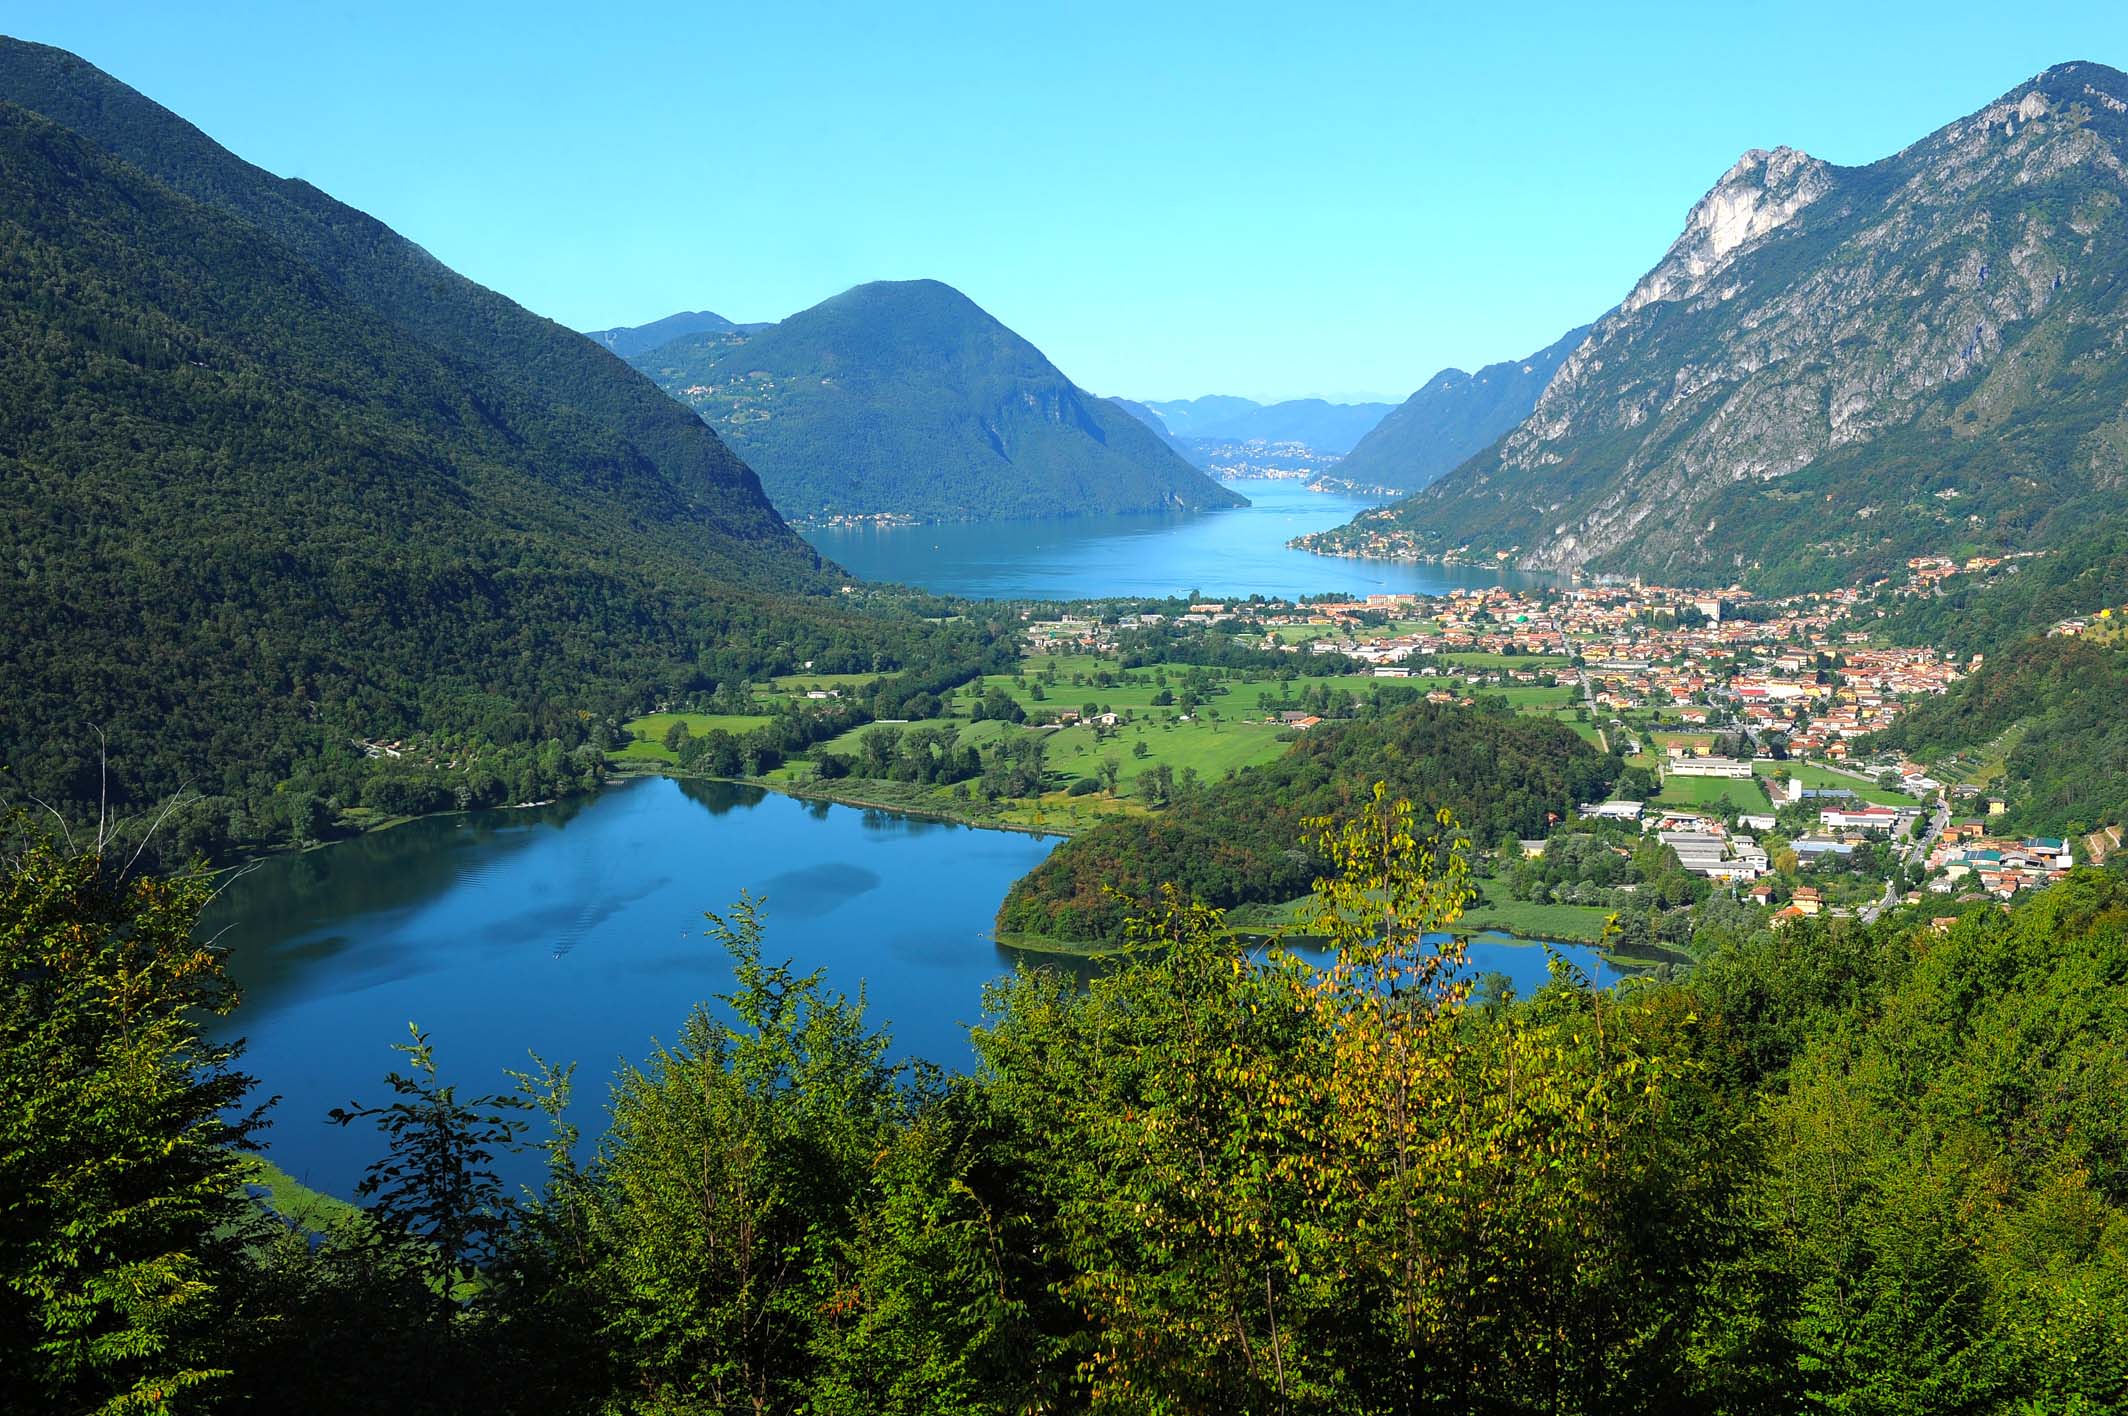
pixel 1840 1168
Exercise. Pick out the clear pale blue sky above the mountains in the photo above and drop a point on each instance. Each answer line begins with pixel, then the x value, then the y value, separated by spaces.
pixel 1167 199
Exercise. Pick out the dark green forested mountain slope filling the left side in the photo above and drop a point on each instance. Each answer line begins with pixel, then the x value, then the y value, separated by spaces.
pixel 273 478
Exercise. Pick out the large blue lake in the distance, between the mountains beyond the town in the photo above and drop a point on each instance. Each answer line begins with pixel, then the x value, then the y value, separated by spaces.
pixel 1218 553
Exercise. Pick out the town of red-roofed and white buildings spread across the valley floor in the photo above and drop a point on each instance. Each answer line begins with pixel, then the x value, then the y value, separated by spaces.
pixel 1757 710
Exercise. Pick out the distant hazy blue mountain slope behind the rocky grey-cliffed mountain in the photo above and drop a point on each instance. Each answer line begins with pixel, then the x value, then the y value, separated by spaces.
pixel 1452 418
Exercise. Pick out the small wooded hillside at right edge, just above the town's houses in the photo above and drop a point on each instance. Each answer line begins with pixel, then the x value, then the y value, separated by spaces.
pixel 2063 708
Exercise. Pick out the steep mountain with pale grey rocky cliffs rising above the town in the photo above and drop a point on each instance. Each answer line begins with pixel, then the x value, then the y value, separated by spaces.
pixel 1835 369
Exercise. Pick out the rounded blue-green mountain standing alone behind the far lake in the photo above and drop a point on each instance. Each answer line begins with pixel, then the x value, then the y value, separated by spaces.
pixel 908 399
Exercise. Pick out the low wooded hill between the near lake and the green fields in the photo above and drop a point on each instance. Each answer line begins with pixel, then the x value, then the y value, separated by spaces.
pixel 1237 842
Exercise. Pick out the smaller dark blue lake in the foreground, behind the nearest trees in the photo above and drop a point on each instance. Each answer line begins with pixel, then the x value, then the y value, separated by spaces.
pixel 578 932
